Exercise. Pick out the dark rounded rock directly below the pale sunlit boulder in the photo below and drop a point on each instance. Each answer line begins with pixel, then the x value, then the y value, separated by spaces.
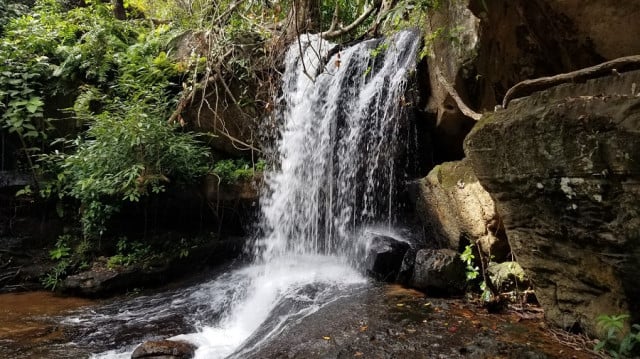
pixel 439 271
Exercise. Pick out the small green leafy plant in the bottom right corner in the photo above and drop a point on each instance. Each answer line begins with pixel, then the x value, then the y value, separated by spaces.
pixel 614 343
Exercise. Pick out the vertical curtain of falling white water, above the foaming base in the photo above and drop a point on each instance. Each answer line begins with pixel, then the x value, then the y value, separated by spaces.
pixel 338 146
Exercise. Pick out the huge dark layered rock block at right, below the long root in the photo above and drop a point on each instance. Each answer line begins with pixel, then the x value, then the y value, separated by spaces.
pixel 563 166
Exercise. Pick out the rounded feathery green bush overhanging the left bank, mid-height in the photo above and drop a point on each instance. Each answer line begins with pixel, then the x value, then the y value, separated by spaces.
pixel 128 152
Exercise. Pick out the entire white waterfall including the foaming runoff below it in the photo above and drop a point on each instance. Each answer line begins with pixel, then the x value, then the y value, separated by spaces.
pixel 341 120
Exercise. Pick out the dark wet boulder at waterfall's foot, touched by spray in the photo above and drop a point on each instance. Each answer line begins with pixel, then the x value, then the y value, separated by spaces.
pixel 385 256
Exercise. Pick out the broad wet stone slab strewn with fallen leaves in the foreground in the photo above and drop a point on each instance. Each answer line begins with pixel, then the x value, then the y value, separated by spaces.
pixel 393 322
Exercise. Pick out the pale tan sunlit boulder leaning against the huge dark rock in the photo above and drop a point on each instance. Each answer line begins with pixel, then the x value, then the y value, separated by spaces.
pixel 456 210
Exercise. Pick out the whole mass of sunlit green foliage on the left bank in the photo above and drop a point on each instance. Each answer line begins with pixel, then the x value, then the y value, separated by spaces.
pixel 124 84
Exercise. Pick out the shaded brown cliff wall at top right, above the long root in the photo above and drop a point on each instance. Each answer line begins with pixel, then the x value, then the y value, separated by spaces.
pixel 482 48
